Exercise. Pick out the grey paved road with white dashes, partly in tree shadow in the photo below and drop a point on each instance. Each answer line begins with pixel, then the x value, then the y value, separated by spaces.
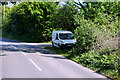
pixel 30 60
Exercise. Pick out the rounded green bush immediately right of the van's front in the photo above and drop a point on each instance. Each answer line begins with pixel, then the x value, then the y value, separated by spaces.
pixel 85 37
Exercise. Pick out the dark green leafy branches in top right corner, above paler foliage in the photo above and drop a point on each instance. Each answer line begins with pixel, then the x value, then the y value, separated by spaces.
pixel 95 9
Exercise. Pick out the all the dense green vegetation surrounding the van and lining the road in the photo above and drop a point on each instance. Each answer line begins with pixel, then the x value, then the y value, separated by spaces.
pixel 95 26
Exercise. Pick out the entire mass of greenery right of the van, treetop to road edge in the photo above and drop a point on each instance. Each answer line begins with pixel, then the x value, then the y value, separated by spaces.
pixel 97 41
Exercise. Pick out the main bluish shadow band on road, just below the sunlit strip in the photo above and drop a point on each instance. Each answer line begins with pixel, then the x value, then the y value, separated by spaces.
pixel 25 48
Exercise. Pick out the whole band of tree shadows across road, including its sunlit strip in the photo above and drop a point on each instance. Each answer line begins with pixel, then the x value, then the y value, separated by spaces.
pixel 27 48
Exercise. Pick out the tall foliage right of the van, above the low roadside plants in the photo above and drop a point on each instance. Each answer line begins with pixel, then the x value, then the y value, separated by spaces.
pixel 101 26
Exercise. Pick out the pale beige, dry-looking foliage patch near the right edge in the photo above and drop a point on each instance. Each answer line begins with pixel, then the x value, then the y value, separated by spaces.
pixel 105 38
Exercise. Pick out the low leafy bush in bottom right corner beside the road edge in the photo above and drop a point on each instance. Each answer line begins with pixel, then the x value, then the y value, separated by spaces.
pixel 102 61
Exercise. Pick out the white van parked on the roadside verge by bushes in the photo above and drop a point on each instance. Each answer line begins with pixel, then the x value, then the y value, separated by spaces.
pixel 62 38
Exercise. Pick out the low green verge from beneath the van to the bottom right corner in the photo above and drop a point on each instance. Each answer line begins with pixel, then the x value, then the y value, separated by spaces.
pixel 99 61
